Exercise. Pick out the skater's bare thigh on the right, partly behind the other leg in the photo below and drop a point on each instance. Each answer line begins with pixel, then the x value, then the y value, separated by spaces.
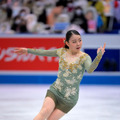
pixel 56 115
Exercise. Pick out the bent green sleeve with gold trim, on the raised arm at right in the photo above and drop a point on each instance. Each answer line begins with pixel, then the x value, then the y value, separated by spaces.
pixel 91 66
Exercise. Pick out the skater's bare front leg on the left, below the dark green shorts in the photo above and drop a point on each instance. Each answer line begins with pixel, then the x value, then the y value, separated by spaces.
pixel 47 109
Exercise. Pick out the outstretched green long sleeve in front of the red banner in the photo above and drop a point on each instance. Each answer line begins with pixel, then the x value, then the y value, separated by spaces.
pixel 40 52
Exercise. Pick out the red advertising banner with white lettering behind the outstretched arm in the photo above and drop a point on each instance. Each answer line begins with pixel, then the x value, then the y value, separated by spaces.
pixel 11 61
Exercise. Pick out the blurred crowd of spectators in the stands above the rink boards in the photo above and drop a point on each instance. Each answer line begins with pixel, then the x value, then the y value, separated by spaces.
pixel 57 16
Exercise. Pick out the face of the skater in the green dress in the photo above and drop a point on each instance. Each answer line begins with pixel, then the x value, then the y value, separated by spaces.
pixel 75 43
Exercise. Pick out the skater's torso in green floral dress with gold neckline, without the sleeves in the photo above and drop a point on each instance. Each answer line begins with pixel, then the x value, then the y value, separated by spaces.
pixel 69 76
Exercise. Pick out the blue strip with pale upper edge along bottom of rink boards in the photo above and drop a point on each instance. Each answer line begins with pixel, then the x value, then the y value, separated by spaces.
pixel 96 78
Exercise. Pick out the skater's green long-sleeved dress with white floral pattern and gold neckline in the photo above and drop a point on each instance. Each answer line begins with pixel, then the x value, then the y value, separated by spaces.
pixel 66 86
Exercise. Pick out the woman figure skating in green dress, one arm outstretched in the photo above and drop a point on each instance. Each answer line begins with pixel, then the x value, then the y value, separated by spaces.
pixel 63 93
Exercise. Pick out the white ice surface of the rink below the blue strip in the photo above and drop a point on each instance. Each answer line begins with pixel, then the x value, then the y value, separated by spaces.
pixel 23 102
